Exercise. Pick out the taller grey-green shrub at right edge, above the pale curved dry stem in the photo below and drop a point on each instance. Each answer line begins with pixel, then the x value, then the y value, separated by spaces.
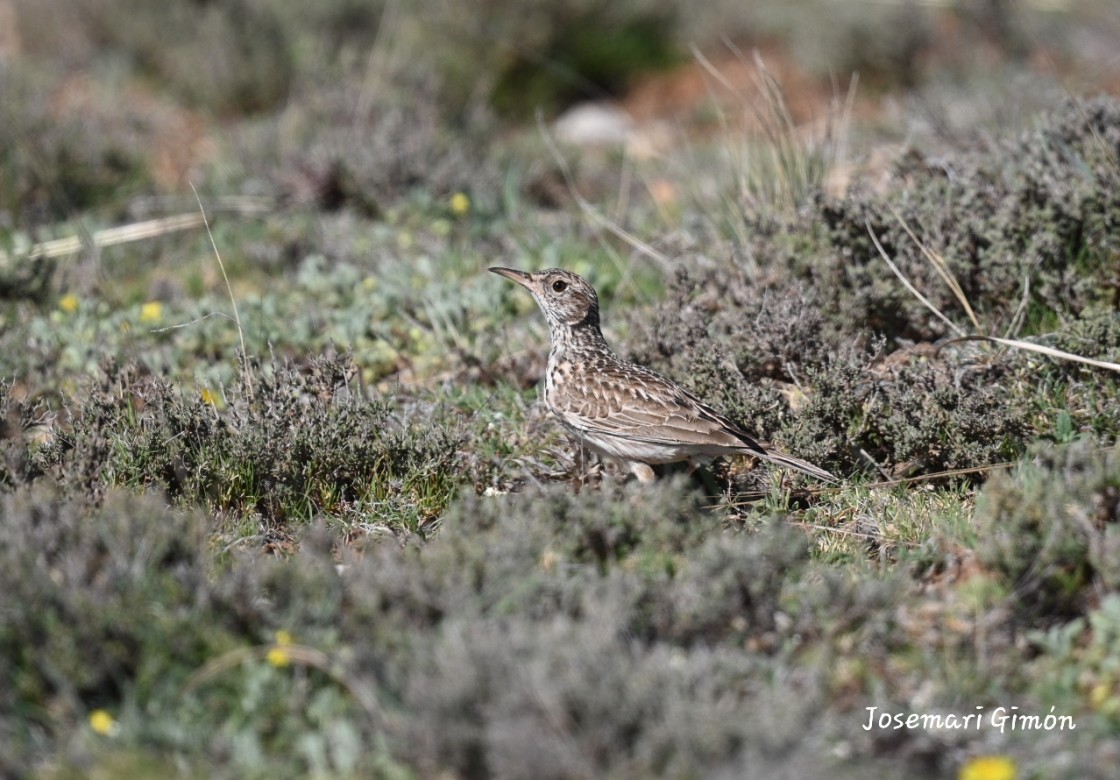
pixel 1042 208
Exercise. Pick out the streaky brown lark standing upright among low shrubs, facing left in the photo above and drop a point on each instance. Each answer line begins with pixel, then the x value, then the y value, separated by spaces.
pixel 622 411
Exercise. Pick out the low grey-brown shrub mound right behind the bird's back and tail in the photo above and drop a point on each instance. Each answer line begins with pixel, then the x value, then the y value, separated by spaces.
pixel 751 352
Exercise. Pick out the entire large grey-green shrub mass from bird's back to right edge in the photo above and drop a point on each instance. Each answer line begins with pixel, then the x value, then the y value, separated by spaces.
pixel 817 346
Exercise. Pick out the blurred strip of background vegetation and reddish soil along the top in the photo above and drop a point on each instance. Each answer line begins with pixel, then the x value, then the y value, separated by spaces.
pixel 109 100
